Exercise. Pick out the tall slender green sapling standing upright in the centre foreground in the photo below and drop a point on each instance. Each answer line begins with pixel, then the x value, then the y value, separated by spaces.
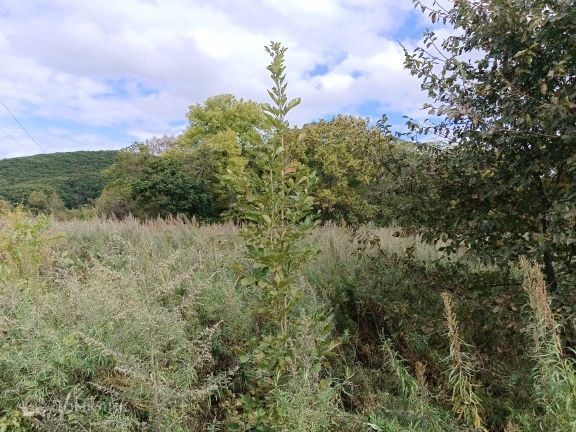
pixel 275 202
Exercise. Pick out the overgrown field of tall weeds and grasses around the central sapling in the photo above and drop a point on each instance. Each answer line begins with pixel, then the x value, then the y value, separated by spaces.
pixel 123 326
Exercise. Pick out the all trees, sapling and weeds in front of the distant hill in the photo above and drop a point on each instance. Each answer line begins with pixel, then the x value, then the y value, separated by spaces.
pixel 460 319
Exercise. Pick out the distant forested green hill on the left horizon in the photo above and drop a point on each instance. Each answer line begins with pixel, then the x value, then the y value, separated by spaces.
pixel 74 176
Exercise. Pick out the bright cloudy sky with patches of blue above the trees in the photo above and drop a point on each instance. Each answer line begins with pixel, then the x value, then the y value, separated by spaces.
pixel 96 74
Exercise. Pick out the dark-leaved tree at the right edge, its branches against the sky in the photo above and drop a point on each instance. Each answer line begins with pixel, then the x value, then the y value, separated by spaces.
pixel 503 88
